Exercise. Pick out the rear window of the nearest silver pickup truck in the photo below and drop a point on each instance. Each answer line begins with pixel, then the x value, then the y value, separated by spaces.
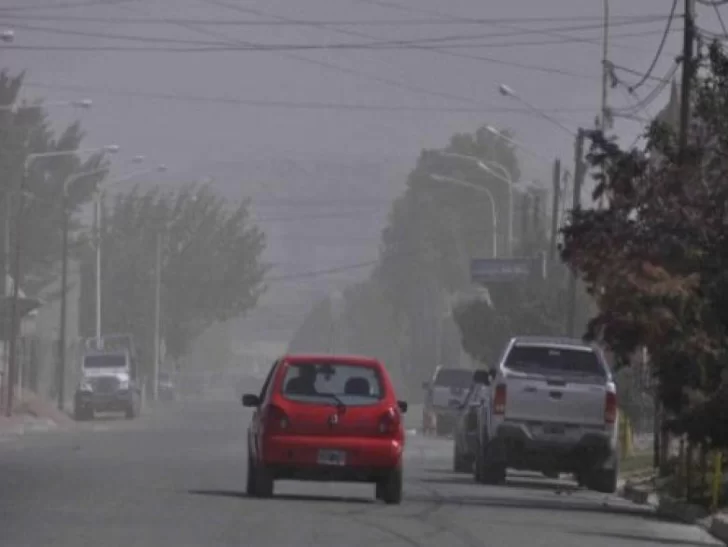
pixel 550 360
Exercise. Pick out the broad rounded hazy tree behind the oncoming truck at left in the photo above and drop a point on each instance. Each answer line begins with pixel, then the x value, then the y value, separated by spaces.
pixel 210 256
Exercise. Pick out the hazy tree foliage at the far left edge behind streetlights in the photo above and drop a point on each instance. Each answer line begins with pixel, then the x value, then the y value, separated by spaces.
pixel 35 200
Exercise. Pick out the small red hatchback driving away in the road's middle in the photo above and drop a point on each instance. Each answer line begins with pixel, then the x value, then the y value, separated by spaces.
pixel 326 418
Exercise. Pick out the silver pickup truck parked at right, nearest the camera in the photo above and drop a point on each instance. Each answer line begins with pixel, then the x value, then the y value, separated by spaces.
pixel 553 409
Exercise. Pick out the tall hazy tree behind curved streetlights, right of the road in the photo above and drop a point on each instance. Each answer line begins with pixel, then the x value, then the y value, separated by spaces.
pixel 433 230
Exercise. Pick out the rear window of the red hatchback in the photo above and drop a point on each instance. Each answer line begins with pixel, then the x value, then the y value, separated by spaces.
pixel 352 384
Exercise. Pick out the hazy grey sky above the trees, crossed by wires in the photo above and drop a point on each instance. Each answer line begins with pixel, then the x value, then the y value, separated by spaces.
pixel 242 110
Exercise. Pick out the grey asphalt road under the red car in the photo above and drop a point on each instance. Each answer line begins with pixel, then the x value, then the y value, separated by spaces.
pixel 176 478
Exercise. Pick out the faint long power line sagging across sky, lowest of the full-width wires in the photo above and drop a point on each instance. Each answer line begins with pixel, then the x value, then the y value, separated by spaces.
pixel 303 105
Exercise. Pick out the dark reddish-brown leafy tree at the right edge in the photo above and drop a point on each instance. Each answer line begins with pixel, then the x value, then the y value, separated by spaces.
pixel 655 258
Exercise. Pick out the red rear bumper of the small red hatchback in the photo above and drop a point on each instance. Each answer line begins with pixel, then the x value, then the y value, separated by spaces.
pixel 293 450
